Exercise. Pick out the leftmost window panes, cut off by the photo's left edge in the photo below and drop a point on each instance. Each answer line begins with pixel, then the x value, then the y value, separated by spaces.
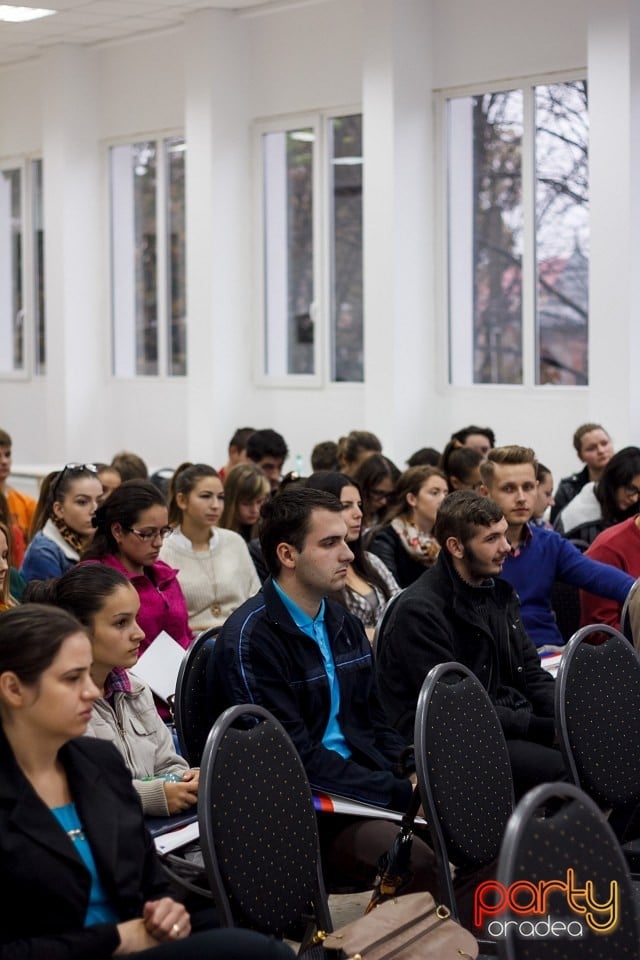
pixel 22 333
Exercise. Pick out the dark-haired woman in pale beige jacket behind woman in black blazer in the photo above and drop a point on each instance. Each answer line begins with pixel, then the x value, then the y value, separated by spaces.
pixel 107 606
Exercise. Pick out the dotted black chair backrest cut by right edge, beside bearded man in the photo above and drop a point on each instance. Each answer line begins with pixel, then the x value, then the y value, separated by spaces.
pixel 598 714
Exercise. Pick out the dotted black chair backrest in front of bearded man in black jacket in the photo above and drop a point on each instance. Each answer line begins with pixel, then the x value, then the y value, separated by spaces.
pixel 463 768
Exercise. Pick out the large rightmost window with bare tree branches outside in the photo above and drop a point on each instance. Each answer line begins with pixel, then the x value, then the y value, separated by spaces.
pixel 518 235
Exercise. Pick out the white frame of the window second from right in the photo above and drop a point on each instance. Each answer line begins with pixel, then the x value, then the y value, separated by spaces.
pixel 319 122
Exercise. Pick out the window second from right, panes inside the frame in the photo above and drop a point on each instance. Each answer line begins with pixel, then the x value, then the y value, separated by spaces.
pixel 312 248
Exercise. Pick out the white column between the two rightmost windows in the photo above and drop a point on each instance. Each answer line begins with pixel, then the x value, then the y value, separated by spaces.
pixel 398 217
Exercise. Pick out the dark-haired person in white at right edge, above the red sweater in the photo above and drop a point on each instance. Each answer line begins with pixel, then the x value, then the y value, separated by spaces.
pixel 613 498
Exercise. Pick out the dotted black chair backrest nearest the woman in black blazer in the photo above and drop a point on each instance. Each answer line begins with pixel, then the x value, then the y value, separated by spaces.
pixel 258 828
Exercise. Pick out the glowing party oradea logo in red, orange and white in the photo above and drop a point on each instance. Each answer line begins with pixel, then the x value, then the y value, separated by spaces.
pixel 546 910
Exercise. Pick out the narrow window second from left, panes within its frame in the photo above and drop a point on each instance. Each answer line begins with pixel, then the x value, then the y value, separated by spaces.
pixel 148 281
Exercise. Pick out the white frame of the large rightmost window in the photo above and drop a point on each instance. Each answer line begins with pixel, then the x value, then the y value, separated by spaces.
pixel 529 332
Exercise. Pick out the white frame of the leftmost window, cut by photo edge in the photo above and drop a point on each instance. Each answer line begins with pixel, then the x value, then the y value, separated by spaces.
pixel 24 164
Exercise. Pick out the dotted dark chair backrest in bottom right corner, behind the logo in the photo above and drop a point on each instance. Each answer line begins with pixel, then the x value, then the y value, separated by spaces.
pixel 572 835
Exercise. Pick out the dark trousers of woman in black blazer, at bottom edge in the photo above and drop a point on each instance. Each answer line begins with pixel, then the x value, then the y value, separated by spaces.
pixel 227 944
